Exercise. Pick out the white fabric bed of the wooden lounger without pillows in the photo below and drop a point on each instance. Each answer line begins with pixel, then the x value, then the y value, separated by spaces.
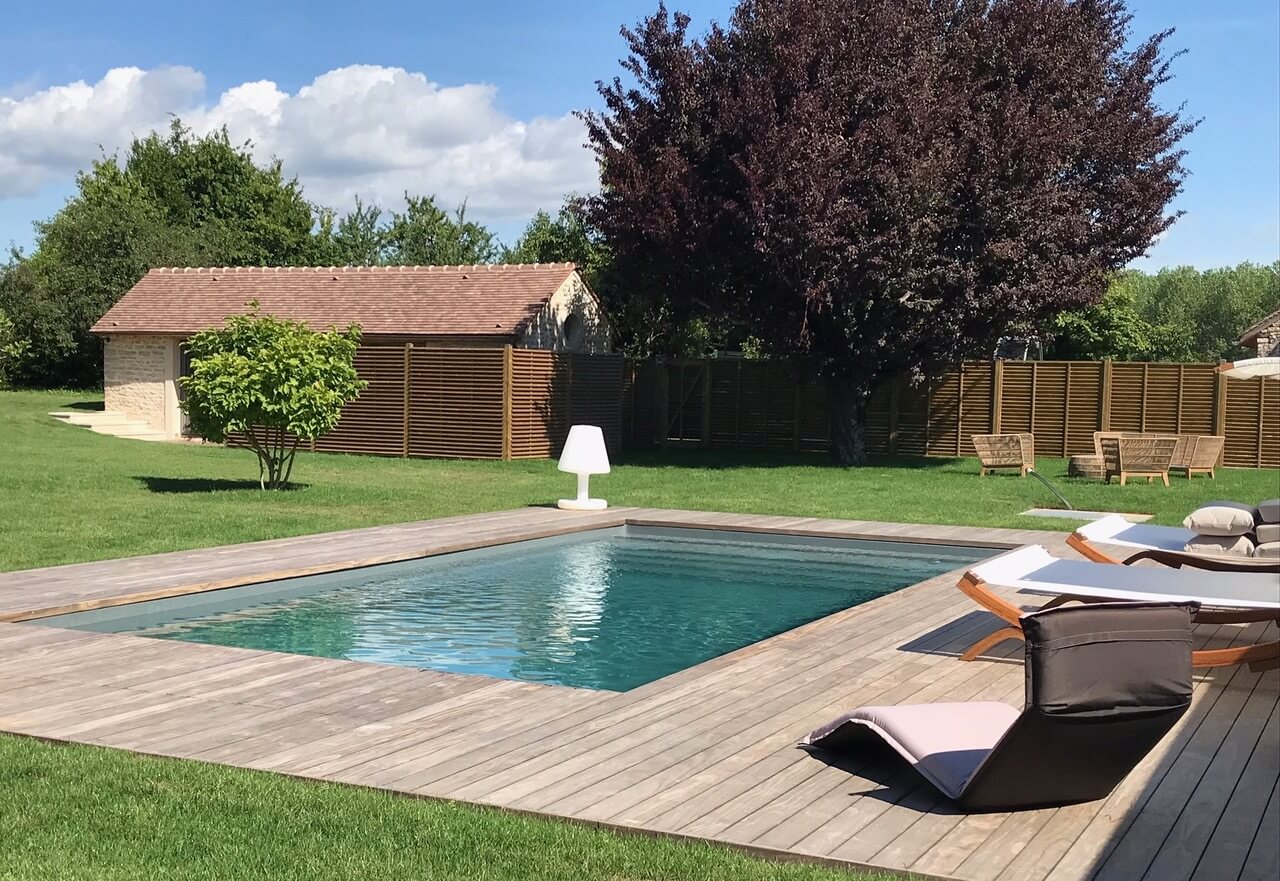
pixel 1036 570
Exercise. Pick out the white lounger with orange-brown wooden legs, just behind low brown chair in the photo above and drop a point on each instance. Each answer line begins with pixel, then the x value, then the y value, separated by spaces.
pixel 1232 597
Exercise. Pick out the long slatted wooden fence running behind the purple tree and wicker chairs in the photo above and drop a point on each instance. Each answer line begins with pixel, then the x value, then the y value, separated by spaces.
pixel 734 403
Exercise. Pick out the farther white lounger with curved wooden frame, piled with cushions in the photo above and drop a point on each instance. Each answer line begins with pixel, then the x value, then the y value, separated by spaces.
pixel 1162 545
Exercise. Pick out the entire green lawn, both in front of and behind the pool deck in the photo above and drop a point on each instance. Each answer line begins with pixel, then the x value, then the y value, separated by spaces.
pixel 68 495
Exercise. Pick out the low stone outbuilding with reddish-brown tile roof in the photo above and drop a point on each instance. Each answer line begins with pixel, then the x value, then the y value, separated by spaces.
pixel 543 307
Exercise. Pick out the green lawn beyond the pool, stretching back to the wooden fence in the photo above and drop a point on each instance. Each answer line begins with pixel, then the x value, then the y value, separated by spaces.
pixel 68 495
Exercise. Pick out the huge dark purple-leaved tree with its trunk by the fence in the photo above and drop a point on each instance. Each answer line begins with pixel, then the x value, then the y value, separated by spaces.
pixel 883 186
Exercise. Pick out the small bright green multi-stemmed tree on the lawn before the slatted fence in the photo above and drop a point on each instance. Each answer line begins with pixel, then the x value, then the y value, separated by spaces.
pixel 273 381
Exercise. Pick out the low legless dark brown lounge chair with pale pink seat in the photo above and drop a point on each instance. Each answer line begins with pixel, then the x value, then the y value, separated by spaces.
pixel 1104 686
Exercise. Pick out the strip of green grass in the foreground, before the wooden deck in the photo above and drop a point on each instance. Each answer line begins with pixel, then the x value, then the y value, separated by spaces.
pixel 72 814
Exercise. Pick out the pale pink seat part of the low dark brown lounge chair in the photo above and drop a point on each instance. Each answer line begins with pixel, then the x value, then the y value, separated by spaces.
pixel 945 742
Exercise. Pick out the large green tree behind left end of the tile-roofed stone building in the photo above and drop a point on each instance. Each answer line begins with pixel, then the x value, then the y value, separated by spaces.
pixel 175 200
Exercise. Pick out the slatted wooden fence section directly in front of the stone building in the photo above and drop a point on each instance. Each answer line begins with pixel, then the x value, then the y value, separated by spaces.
pixel 477 403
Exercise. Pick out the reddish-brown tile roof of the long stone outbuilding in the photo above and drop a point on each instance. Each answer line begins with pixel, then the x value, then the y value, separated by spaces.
pixel 382 300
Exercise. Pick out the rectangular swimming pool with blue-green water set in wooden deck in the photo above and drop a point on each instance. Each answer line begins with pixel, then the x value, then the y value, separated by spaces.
pixel 610 609
